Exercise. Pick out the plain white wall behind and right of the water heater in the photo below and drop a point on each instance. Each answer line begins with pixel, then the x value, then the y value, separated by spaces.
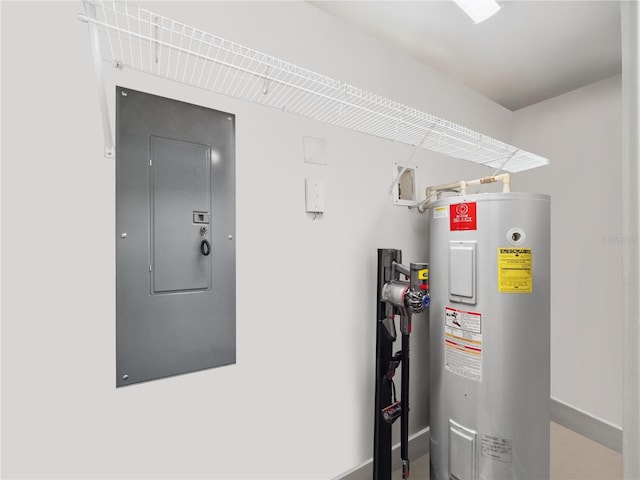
pixel 581 133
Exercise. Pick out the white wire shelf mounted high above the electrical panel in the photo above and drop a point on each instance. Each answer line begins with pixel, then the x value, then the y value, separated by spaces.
pixel 137 38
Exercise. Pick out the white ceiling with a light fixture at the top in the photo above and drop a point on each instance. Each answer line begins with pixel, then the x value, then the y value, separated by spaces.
pixel 527 52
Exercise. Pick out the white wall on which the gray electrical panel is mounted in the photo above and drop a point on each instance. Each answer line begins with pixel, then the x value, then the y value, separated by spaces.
pixel 299 401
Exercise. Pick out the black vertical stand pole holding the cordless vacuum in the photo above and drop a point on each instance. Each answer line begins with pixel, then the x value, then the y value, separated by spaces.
pixel 384 352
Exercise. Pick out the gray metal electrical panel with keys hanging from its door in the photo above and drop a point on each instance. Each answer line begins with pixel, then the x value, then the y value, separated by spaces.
pixel 175 237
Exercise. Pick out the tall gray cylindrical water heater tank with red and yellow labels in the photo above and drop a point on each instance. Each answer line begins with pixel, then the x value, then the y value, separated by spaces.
pixel 489 337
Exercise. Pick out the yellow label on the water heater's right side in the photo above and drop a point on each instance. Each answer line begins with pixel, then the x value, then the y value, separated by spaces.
pixel 514 270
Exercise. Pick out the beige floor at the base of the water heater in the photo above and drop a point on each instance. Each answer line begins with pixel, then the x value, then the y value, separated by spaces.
pixel 572 457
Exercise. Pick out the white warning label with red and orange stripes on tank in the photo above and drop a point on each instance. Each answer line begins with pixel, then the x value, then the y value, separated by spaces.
pixel 463 343
